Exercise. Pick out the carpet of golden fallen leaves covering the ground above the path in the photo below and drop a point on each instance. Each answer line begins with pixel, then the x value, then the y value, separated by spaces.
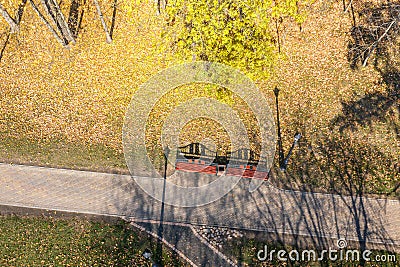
pixel 80 95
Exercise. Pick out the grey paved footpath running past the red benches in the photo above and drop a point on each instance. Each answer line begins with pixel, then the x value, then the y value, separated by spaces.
pixel 319 217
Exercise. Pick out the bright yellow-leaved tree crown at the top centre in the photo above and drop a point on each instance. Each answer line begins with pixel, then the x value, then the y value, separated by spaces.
pixel 233 32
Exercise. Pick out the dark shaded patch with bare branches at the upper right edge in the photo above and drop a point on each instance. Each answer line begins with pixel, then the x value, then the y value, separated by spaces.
pixel 375 40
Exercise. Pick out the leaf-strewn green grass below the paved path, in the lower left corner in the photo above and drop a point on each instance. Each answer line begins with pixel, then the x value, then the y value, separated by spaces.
pixel 28 241
